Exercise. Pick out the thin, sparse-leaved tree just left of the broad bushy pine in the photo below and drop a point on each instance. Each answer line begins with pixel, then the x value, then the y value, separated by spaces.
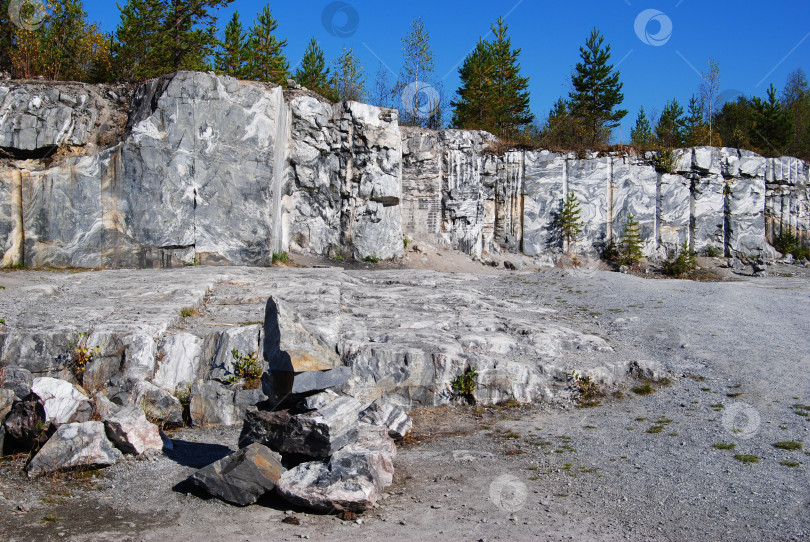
pixel 417 71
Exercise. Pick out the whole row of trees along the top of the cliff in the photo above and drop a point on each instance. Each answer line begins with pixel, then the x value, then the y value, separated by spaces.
pixel 155 37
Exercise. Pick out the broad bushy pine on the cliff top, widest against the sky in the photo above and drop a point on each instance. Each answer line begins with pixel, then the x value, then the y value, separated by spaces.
pixel 493 95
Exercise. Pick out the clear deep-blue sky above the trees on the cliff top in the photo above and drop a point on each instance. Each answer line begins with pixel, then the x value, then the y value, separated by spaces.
pixel 755 43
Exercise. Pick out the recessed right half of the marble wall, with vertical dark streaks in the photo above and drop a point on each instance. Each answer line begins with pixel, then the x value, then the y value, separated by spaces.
pixel 732 200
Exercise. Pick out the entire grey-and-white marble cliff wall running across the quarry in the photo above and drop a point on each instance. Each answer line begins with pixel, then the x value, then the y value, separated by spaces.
pixel 194 167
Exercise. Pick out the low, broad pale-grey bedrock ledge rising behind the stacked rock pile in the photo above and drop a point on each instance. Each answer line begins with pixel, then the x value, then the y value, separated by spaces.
pixel 402 335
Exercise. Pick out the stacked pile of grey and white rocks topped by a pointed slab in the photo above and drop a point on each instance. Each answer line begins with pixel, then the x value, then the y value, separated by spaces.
pixel 318 448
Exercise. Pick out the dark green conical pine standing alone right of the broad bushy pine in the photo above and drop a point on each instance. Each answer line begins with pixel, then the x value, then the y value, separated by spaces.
pixel 597 90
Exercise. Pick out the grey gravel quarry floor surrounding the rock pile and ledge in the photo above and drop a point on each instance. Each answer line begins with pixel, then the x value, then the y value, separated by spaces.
pixel 633 468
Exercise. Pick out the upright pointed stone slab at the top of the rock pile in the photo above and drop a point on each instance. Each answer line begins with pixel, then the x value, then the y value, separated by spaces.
pixel 288 346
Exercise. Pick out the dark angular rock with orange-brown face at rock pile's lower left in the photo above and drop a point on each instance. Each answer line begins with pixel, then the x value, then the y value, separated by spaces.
pixel 242 477
